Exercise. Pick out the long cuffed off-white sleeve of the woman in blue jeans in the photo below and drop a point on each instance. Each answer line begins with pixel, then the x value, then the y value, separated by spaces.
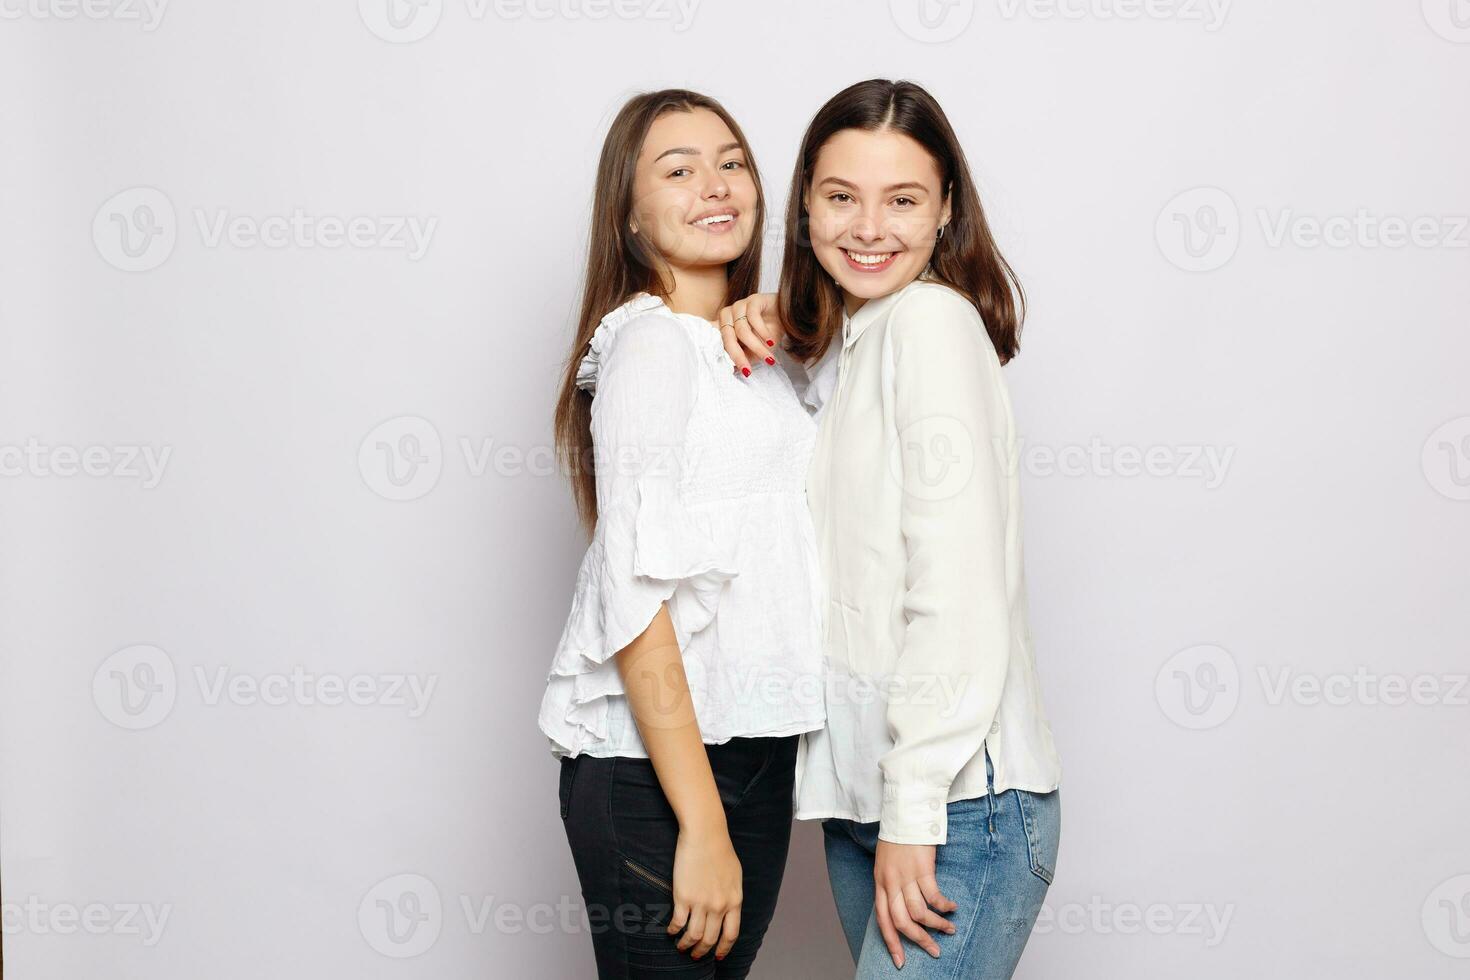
pixel 952 456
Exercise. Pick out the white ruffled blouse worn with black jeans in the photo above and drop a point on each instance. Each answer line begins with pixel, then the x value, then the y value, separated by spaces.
pixel 702 503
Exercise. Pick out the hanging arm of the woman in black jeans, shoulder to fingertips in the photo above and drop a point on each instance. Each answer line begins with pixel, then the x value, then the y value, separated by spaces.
pixel 640 415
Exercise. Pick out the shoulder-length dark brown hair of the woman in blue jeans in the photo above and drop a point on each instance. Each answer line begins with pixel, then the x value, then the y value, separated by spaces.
pixel 965 259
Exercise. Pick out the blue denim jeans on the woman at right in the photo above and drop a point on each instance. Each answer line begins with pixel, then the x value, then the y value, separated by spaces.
pixel 997 865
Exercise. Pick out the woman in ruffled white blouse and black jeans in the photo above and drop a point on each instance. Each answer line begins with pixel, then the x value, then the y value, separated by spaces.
pixel 692 660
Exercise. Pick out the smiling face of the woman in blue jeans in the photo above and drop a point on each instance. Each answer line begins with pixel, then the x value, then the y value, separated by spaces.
pixel 875 203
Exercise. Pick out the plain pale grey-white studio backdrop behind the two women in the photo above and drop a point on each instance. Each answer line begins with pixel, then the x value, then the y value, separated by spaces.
pixel 286 295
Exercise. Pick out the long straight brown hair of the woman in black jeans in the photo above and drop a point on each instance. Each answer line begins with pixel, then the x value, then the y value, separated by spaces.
pixel 623 264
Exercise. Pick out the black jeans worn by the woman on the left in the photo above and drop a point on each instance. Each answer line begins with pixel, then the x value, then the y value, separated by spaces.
pixel 624 834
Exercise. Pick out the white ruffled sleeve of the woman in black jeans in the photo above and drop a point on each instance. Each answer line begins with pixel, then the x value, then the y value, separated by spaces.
pixel 648 547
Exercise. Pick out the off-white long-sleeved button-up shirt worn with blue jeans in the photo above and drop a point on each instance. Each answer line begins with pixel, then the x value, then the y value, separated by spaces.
pixel 917 500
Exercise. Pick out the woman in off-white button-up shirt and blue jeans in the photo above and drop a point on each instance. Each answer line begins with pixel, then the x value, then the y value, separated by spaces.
pixel 936 778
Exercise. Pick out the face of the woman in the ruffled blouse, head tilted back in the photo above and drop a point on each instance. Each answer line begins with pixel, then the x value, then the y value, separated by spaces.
pixel 695 196
